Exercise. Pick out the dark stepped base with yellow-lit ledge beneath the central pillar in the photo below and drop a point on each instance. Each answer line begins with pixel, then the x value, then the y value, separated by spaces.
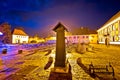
pixel 59 73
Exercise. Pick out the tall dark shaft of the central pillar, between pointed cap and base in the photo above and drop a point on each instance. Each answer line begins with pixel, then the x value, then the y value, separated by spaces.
pixel 60 49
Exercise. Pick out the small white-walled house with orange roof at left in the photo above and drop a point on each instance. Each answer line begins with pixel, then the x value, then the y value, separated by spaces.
pixel 19 36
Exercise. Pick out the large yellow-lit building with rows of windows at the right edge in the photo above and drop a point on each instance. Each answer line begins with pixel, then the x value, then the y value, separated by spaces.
pixel 110 30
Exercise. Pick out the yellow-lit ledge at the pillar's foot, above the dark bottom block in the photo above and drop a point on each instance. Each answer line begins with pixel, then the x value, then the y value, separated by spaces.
pixel 61 69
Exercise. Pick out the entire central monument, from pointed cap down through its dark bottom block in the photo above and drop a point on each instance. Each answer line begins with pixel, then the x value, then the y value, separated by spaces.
pixel 62 69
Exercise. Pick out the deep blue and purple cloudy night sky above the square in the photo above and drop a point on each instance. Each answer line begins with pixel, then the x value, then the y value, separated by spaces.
pixel 40 16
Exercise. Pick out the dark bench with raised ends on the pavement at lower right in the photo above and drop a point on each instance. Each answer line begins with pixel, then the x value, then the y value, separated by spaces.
pixel 101 69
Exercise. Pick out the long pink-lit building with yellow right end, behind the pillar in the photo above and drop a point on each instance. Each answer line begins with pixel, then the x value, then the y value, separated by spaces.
pixel 82 35
